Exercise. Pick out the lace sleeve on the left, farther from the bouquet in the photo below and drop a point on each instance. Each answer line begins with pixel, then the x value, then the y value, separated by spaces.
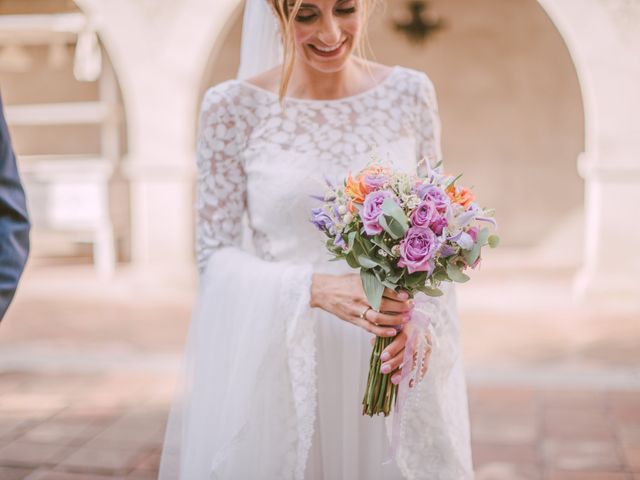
pixel 221 183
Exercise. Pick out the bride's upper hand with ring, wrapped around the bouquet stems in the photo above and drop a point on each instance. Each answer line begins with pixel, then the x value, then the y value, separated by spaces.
pixel 343 296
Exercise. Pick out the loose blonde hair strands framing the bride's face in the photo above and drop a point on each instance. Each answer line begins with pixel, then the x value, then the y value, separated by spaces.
pixel 286 16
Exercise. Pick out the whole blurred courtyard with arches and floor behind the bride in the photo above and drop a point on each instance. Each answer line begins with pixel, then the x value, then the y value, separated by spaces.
pixel 539 104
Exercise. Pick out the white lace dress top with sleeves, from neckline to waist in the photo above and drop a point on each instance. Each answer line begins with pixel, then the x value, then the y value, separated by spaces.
pixel 266 159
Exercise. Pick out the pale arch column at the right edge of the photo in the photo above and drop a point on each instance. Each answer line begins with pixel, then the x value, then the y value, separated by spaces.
pixel 604 41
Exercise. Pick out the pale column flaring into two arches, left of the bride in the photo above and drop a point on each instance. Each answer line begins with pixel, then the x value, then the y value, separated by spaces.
pixel 159 51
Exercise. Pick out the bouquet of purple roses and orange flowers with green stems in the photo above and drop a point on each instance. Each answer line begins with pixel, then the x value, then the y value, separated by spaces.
pixel 403 232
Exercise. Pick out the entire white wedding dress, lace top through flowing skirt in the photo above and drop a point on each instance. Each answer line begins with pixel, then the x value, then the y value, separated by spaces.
pixel 262 159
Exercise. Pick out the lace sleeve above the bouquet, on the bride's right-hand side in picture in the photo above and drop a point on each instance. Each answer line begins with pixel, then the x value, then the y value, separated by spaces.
pixel 428 124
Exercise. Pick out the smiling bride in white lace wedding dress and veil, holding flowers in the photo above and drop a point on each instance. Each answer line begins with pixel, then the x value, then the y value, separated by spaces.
pixel 278 350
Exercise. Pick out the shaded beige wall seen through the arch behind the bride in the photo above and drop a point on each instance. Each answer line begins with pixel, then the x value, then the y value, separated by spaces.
pixel 510 105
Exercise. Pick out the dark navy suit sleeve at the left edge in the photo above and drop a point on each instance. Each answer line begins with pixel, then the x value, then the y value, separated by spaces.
pixel 14 221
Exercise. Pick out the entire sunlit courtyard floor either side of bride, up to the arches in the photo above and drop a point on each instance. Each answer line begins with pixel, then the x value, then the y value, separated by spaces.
pixel 86 368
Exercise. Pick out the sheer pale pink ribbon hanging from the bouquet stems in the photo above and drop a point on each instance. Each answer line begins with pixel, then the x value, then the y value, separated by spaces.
pixel 410 377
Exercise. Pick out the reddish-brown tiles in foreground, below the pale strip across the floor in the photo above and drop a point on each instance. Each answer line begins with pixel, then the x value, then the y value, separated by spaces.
pixel 517 433
